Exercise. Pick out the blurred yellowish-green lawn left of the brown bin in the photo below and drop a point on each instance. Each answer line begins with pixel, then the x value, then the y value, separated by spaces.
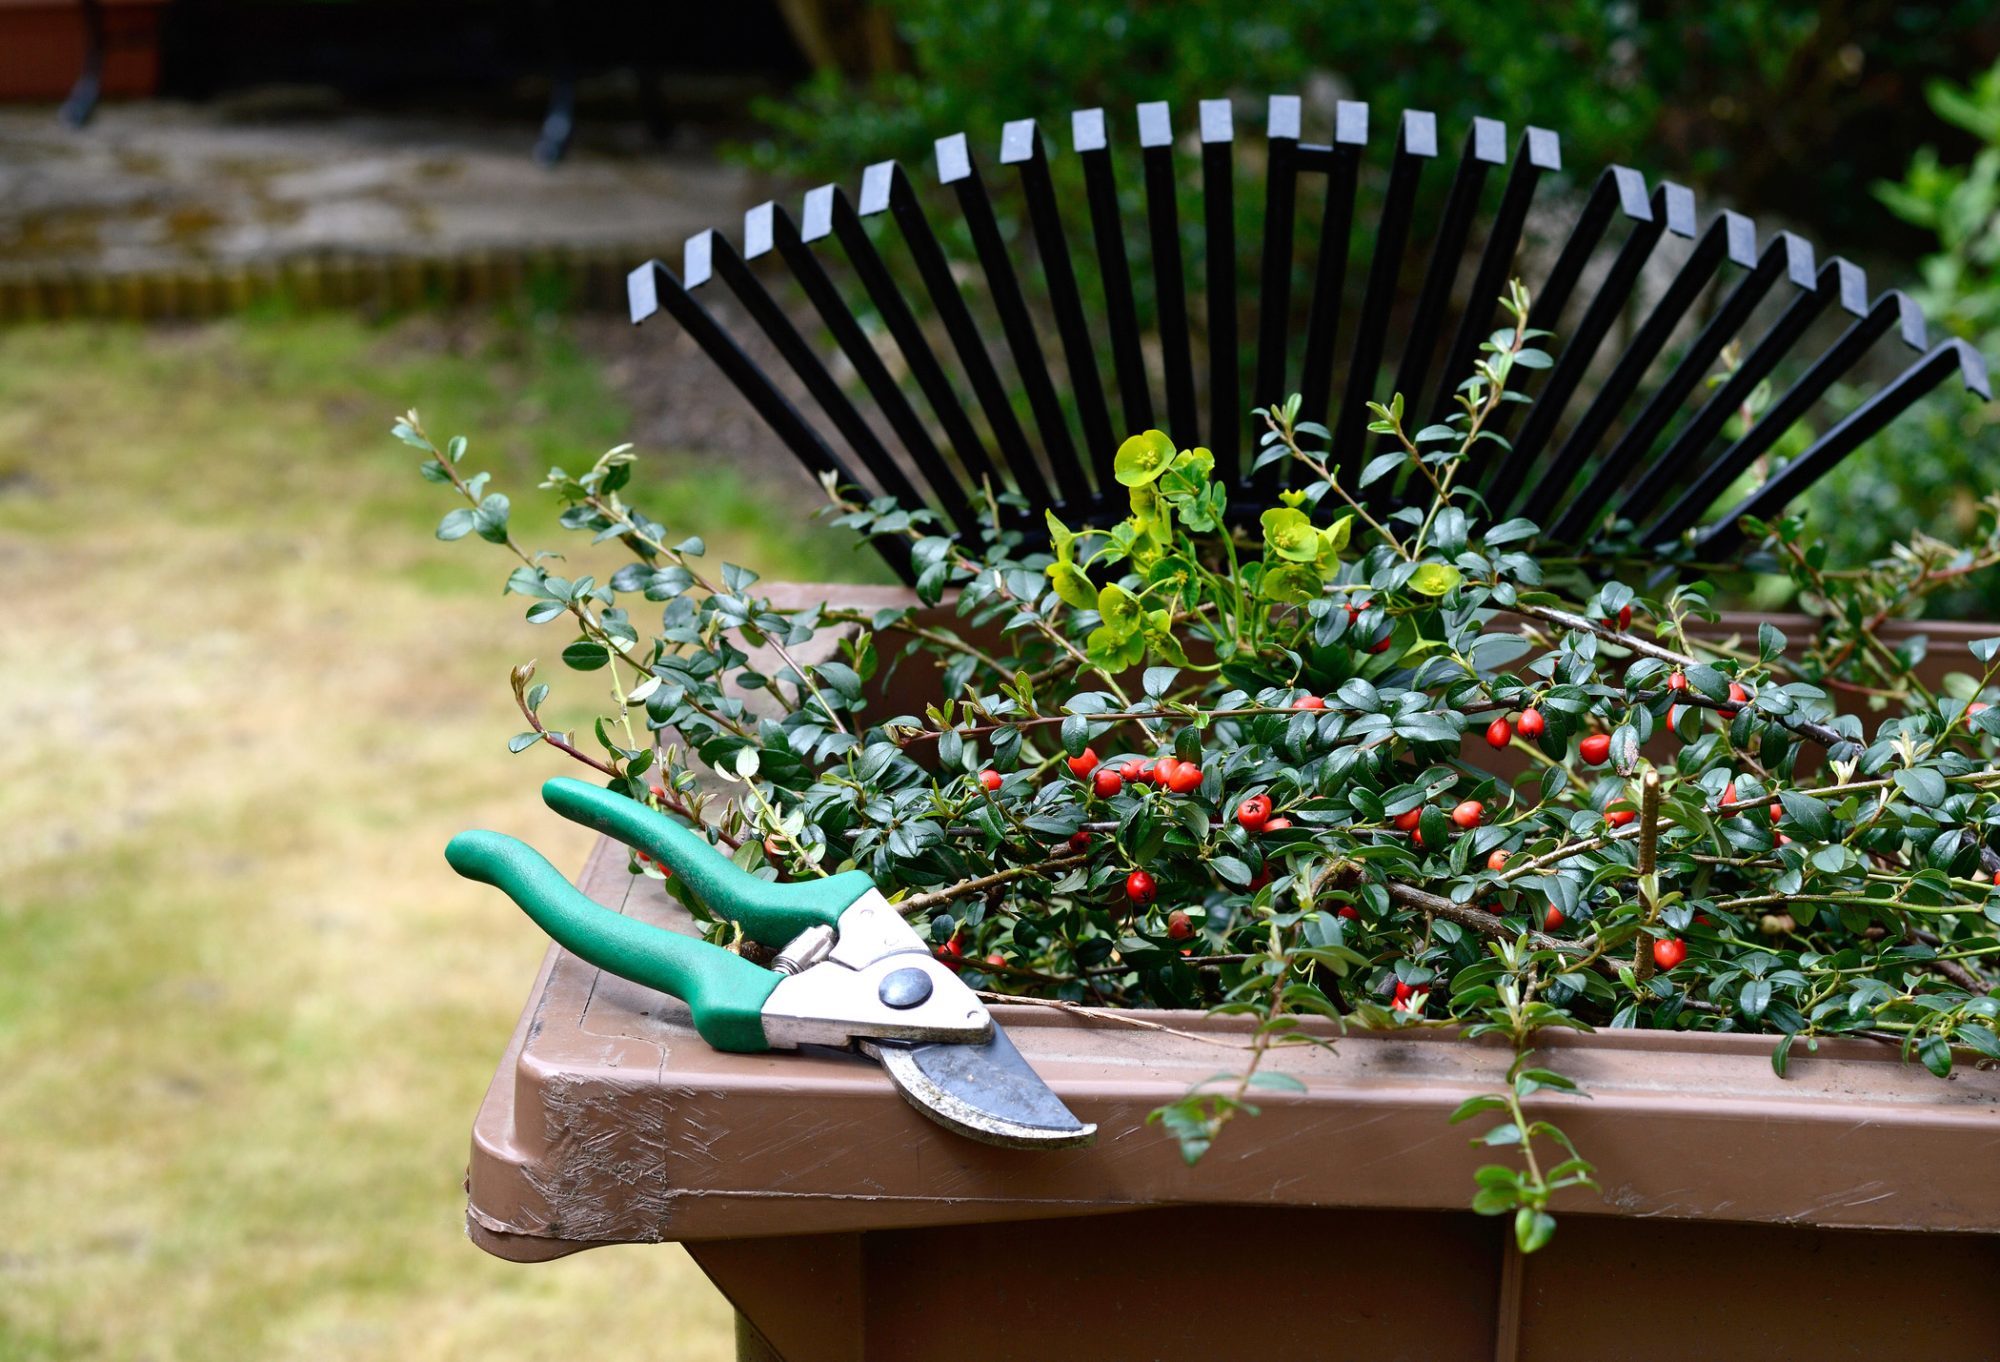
pixel 245 1011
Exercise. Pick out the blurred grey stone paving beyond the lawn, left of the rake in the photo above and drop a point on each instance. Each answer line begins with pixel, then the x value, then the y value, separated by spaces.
pixel 175 187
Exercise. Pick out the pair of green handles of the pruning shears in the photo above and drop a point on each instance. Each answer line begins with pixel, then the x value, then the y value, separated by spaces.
pixel 725 991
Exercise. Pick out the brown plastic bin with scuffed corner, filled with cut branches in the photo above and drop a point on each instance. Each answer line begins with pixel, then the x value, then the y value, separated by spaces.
pixel 1849 1211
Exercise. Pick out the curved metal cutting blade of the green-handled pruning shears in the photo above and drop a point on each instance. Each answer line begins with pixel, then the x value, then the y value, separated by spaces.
pixel 983 1091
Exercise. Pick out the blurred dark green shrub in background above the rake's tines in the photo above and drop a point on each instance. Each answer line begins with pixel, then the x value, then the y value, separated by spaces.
pixel 1763 101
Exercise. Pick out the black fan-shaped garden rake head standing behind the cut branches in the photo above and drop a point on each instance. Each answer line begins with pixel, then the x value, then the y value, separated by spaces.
pixel 993 367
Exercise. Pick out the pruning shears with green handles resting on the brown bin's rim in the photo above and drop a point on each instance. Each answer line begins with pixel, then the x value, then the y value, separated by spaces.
pixel 851 973
